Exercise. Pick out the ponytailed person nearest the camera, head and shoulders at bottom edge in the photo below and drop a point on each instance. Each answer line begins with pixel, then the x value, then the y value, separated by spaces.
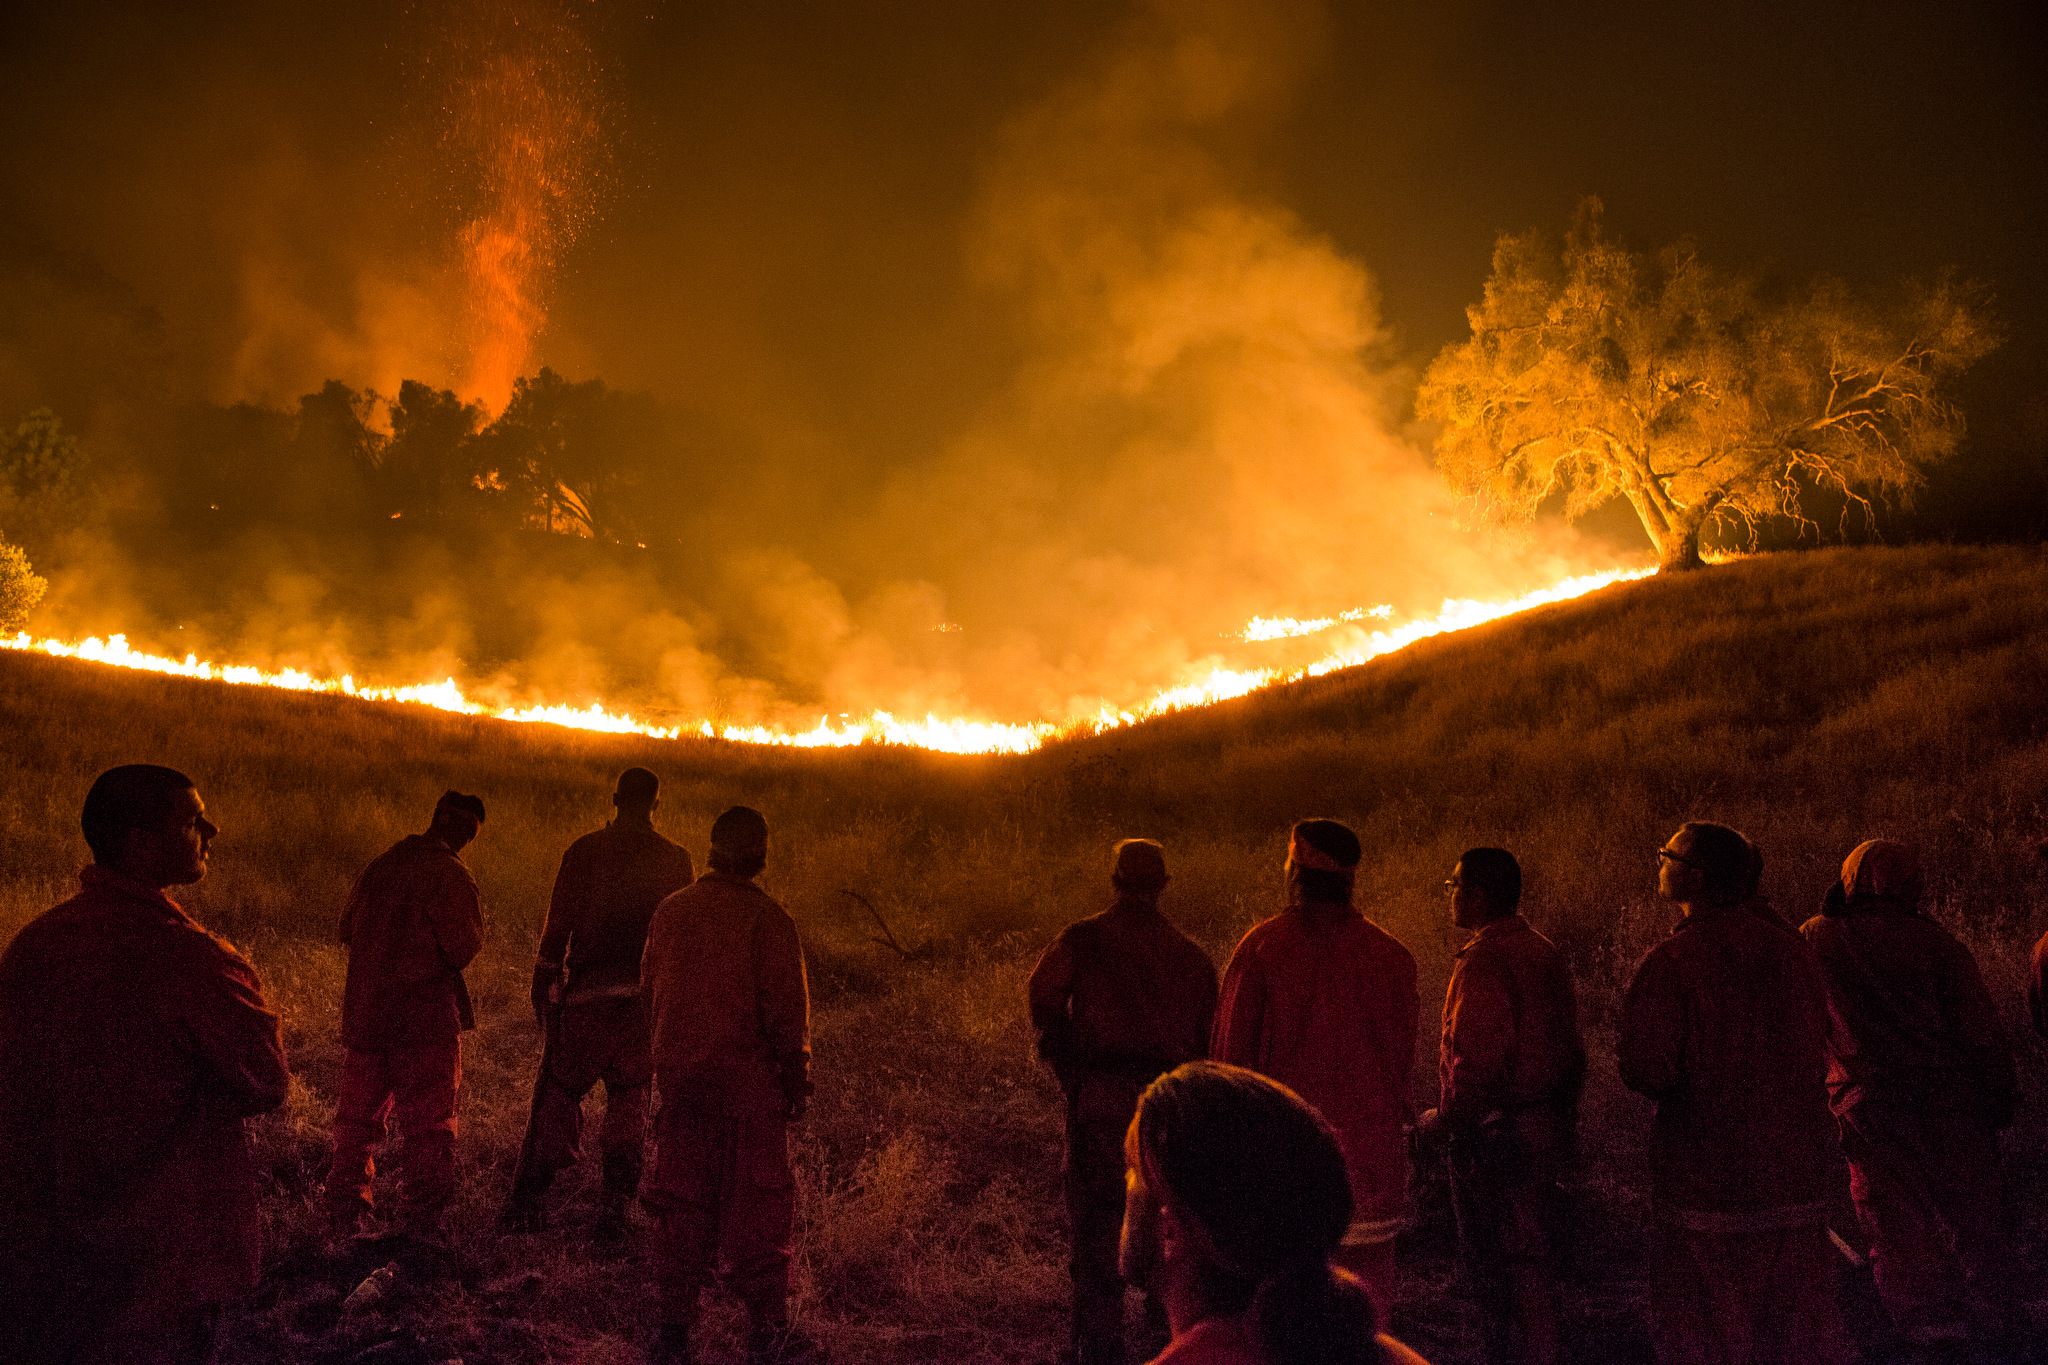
pixel 1238 1198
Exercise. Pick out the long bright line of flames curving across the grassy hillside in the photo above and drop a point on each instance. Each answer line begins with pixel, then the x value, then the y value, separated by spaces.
pixel 880 728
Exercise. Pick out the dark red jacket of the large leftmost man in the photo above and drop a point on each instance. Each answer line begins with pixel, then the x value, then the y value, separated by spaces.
pixel 132 1047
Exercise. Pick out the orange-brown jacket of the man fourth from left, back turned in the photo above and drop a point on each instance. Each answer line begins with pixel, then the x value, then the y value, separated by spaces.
pixel 728 1000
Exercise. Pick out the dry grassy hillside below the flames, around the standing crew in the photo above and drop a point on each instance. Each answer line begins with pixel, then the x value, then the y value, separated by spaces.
pixel 1811 701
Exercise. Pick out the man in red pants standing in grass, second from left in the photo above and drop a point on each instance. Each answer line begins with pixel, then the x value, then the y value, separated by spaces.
pixel 413 924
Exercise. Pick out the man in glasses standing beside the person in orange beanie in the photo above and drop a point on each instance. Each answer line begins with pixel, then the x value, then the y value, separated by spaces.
pixel 1725 1028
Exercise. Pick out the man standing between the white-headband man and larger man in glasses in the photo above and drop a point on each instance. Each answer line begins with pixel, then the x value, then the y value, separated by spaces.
pixel 1510 1073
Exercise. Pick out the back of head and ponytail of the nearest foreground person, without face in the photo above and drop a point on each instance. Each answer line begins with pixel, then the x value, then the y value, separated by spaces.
pixel 1261 1182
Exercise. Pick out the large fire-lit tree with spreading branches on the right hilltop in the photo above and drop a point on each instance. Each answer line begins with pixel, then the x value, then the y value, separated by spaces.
pixel 1598 373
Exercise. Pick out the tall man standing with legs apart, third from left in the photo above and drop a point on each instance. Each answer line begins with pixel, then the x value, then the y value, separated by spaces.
pixel 589 1002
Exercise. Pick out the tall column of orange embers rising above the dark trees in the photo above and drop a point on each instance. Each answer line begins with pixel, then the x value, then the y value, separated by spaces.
pixel 525 105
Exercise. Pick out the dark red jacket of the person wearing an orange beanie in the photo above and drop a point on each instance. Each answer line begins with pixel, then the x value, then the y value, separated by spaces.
pixel 1910 1018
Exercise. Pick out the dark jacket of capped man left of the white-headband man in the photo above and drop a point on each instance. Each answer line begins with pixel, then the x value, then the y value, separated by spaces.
pixel 1125 994
